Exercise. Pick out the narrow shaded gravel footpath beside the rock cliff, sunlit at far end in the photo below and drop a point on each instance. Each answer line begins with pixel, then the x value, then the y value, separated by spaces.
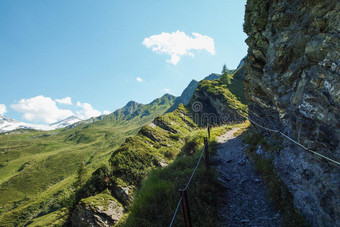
pixel 244 199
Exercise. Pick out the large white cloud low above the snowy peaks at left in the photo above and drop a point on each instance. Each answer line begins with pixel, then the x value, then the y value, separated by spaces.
pixel 41 109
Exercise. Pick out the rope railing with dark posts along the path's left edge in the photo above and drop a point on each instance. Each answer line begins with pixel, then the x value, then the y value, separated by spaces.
pixel 183 199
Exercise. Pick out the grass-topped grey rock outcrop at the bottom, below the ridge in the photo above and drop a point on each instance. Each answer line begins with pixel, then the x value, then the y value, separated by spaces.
pixel 98 210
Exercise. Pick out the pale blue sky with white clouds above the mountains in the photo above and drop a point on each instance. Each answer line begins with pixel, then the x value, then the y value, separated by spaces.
pixel 94 51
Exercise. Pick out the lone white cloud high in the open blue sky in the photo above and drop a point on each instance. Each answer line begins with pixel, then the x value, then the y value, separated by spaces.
pixel 177 44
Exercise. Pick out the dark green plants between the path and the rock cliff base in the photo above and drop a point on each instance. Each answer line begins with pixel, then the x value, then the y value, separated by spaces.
pixel 278 191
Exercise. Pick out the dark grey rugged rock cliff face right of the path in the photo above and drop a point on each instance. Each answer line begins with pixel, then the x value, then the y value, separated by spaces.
pixel 293 85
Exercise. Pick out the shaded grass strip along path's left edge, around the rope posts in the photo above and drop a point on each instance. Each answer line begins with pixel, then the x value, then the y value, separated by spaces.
pixel 158 195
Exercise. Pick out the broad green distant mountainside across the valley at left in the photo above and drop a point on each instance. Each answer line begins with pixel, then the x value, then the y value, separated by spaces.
pixel 37 169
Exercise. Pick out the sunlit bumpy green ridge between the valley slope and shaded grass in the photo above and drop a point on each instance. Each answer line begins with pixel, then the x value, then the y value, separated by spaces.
pixel 155 145
